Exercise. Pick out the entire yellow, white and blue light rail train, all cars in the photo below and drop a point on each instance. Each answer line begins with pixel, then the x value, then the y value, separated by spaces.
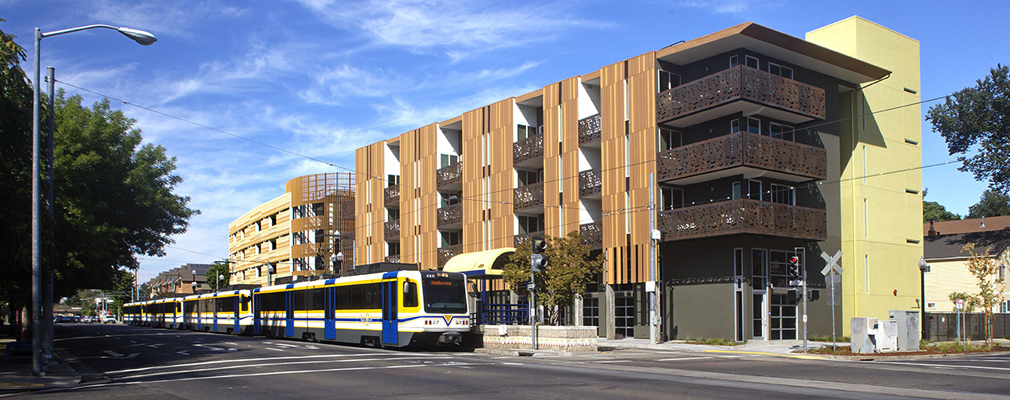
pixel 392 310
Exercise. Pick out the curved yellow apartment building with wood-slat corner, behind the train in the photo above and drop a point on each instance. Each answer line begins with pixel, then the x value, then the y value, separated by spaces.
pixel 296 236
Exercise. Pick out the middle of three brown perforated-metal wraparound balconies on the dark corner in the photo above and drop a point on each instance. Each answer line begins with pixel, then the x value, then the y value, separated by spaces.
pixel 737 153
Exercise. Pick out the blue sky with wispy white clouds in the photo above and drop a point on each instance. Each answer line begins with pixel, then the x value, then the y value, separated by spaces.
pixel 323 78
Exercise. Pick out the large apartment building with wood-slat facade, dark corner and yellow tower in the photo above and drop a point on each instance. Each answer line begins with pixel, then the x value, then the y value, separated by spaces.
pixel 745 147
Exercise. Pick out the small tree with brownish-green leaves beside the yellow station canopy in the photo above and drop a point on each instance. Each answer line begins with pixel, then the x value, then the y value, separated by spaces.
pixel 570 268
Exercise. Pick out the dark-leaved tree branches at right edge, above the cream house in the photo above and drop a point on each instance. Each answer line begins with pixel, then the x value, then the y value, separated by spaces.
pixel 978 119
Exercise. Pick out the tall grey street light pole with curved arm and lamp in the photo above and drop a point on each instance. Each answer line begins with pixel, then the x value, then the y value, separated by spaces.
pixel 141 37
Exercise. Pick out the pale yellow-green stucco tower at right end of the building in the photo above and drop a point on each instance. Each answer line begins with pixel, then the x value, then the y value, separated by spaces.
pixel 881 184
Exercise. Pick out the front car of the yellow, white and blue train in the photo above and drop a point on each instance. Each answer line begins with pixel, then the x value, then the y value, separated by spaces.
pixel 390 310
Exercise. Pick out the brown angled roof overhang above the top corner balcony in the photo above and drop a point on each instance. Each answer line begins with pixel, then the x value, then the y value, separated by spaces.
pixel 777 45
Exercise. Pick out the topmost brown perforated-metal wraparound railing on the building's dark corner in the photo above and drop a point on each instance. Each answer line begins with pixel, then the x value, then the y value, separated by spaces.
pixel 741 83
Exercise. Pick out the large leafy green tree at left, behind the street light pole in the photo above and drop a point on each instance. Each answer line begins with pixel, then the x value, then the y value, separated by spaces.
pixel 115 195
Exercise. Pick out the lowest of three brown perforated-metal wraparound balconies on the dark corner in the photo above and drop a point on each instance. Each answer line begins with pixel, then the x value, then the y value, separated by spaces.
pixel 743 217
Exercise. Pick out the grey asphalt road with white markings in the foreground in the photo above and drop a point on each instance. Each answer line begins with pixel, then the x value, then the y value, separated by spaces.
pixel 121 362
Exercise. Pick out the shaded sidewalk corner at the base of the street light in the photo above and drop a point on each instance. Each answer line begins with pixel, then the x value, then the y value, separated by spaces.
pixel 17 377
